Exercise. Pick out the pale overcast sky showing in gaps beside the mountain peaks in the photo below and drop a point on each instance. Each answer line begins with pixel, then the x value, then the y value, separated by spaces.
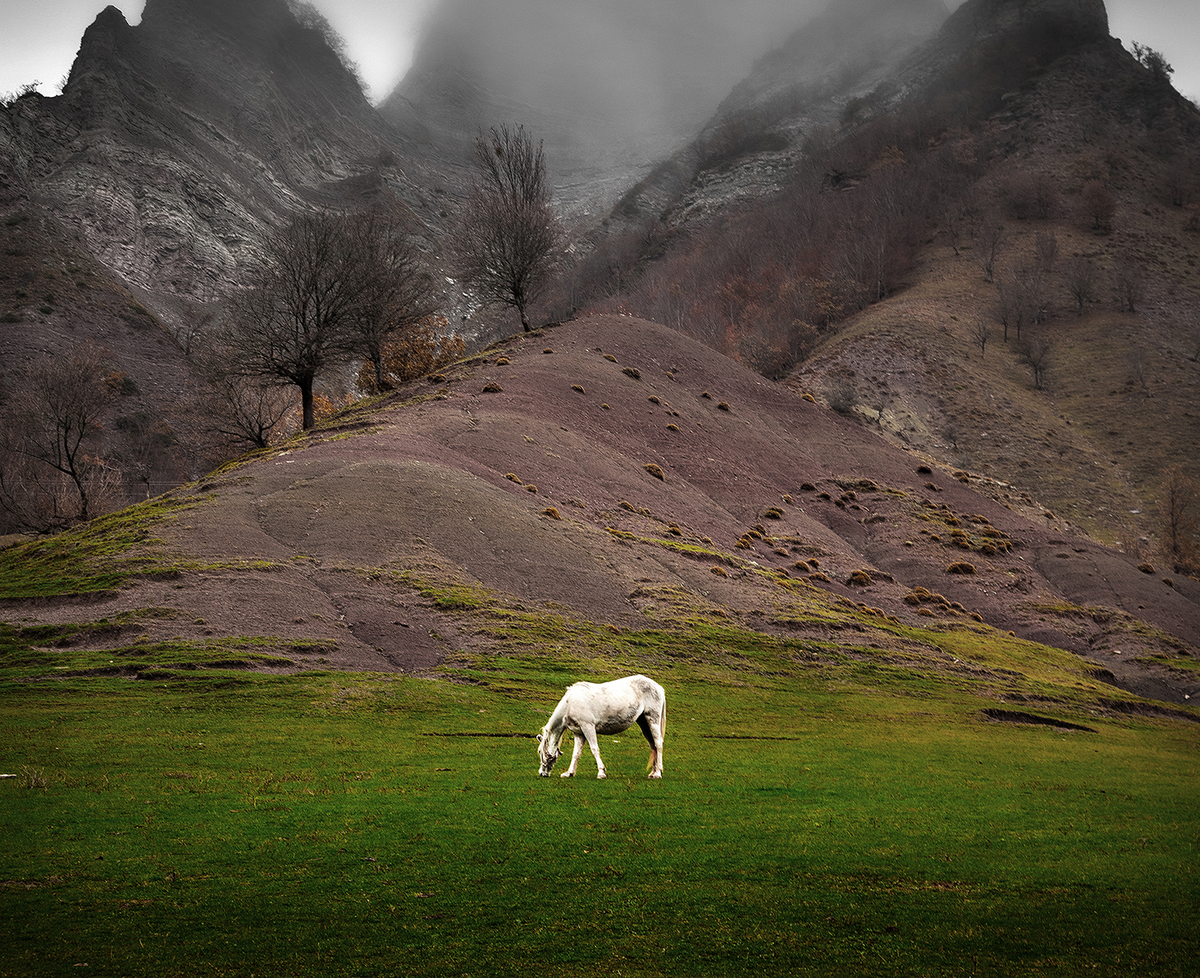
pixel 39 39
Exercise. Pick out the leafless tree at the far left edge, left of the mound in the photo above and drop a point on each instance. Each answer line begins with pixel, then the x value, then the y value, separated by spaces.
pixel 52 471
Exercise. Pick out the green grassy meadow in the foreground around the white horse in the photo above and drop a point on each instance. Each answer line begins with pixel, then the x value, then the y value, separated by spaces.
pixel 818 817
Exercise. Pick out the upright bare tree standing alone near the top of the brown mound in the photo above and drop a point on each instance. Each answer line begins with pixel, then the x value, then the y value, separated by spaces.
pixel 508 238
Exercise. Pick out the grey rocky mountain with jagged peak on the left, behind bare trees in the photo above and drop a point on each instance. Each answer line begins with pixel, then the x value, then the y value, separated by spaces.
pixel 140 196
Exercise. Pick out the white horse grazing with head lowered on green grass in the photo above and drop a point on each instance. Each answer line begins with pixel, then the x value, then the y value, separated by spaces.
pixel 592 709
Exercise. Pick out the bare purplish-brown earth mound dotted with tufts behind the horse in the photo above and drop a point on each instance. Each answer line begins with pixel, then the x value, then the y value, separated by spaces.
pixel 616 471
